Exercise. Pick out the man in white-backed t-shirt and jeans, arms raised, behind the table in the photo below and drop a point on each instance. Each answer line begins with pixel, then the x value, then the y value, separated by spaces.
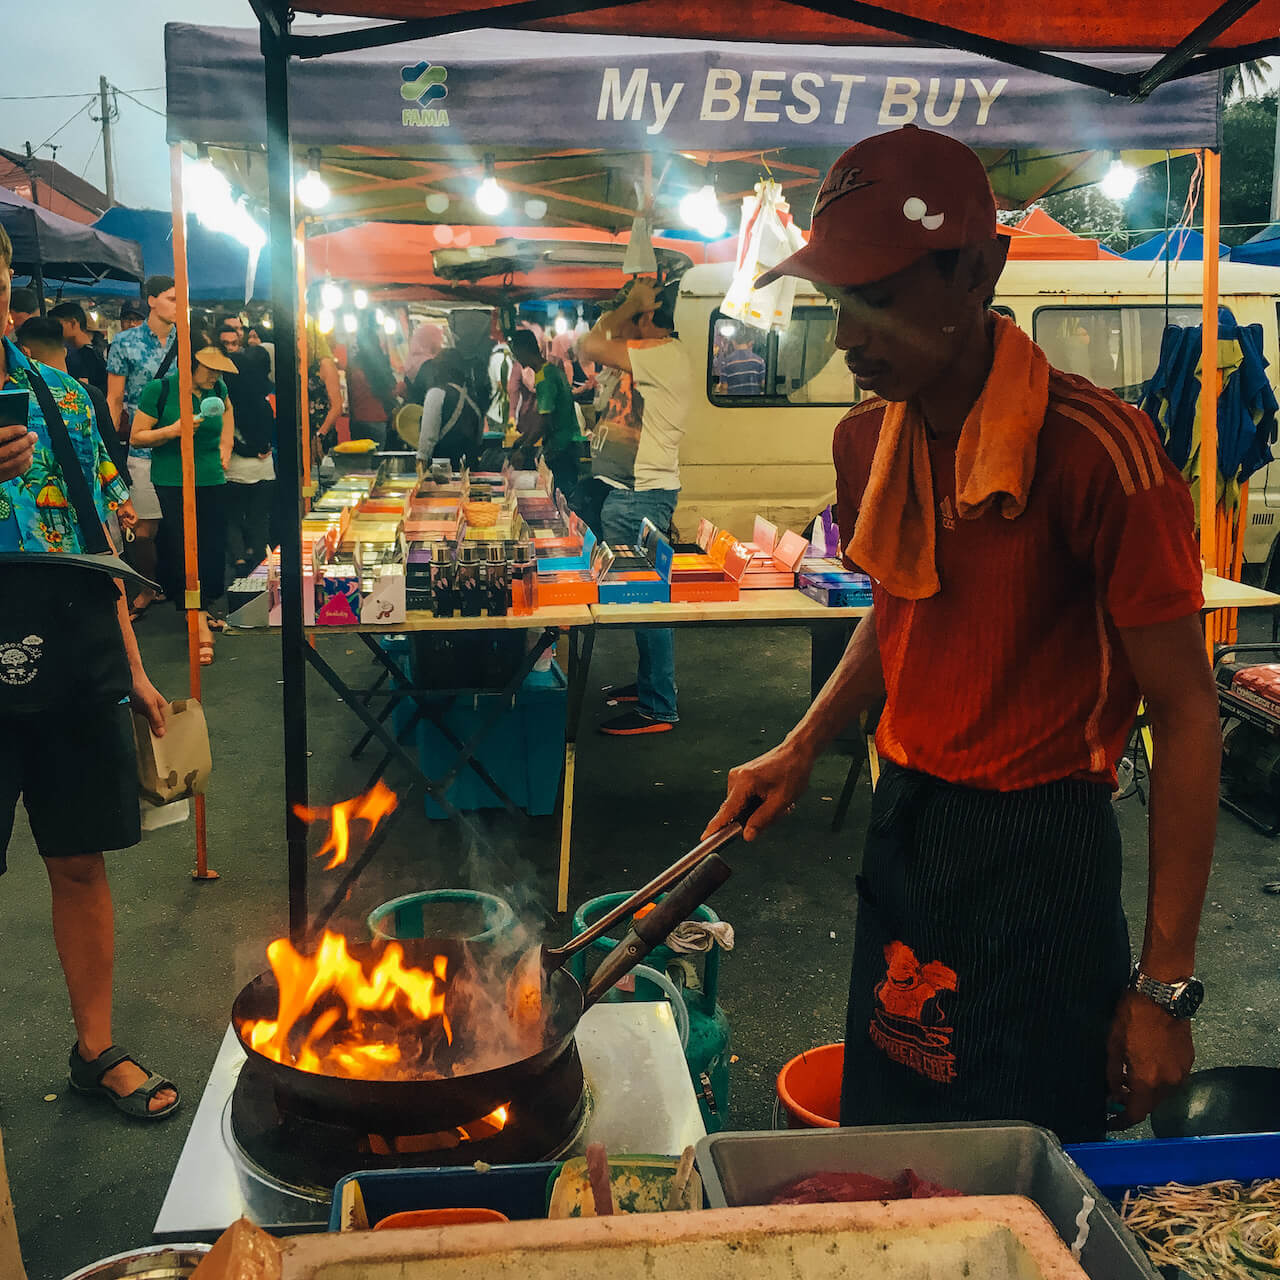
pixel 636 452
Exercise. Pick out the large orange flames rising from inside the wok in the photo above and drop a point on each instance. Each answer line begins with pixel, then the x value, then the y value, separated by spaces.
pixel 348 1037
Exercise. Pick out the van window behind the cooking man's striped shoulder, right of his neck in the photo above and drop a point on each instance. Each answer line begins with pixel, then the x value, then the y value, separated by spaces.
pixel 1114 348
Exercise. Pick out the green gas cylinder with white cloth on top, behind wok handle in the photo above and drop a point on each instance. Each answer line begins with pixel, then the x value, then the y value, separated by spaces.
pixel 708 1049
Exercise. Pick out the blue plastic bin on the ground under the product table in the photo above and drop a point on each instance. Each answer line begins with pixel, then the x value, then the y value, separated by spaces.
pixel 524 753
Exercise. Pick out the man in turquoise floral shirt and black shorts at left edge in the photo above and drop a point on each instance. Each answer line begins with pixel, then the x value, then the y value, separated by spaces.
pixel 70 673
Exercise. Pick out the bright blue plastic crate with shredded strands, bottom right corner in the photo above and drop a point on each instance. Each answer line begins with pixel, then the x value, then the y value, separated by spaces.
pixel 1118 1167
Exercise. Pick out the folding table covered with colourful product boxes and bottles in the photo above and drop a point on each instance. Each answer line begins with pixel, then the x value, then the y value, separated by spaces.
pixel 463 586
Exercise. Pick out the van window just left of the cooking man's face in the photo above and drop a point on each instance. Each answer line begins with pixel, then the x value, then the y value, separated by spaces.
pixel 801 365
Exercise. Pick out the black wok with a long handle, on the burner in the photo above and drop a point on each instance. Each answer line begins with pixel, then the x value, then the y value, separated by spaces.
pixel 438 1104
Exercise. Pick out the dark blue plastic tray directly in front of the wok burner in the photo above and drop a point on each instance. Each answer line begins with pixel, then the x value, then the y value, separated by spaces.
pixel 518 1191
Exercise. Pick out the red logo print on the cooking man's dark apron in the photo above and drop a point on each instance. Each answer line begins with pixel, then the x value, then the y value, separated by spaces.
pixel 911 1025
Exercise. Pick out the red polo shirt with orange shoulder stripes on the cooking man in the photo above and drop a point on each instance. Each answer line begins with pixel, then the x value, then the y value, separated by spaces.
pixel 1014 674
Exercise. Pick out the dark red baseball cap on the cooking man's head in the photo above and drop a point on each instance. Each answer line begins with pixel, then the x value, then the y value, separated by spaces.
pixel 889 202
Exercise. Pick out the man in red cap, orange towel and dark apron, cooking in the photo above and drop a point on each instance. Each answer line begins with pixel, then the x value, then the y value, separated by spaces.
pixel 1035 570
